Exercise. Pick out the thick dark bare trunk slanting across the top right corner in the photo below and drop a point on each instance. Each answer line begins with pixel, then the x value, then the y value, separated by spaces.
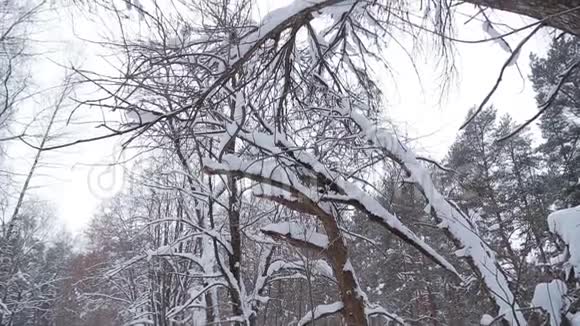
pixel 561 14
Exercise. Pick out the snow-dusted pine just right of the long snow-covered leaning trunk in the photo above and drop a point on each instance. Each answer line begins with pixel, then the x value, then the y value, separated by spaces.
pixel 505 183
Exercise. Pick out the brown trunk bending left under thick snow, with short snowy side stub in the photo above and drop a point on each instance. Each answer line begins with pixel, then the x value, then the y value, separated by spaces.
pixel 270 172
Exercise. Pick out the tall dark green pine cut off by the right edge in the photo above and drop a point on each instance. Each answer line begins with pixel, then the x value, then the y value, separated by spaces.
pixel 560 125
